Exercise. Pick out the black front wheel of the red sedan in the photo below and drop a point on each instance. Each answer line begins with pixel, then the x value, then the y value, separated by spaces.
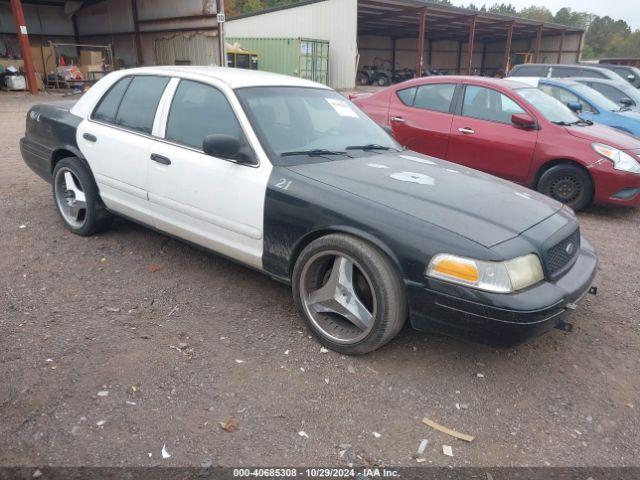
pixel 568 184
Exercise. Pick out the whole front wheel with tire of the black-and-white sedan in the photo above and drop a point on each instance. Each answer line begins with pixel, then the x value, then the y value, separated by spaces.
pixel 349 294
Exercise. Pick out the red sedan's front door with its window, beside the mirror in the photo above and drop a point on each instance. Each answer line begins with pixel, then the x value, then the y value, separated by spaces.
pixel 483 137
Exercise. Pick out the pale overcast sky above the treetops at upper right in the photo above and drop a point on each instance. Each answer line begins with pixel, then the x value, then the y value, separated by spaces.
pixel 628 10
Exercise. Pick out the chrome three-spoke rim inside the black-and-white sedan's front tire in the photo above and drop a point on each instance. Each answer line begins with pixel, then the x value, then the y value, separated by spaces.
pixel 338 297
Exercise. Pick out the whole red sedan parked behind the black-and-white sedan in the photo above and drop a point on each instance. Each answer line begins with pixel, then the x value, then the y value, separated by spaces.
pixel 513 131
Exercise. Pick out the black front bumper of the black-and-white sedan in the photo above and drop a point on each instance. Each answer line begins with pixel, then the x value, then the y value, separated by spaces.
pixel 501 320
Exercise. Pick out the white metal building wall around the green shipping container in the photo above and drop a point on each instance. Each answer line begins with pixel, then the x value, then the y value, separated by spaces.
pixel 332 20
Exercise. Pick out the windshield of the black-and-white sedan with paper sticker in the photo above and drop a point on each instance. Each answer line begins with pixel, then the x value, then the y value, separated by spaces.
pixel 310 123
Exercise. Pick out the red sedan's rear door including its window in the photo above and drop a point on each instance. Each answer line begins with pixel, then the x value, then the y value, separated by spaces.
pixel 420 117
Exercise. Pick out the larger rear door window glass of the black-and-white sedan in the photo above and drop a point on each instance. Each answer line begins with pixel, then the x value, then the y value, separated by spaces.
pixel 140 102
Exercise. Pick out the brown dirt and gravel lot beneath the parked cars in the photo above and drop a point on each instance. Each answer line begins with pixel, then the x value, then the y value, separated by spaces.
pixel 82 316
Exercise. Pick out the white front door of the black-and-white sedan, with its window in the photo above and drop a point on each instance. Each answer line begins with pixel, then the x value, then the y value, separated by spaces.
pixel 214 202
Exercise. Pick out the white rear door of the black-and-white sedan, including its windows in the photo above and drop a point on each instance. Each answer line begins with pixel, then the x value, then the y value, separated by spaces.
pixel 116 139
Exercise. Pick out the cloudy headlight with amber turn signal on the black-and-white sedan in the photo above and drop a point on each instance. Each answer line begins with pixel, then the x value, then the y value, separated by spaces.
pixel 497 277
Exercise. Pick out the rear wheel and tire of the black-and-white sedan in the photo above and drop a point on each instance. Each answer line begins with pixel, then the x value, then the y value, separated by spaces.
pixel 77 199
